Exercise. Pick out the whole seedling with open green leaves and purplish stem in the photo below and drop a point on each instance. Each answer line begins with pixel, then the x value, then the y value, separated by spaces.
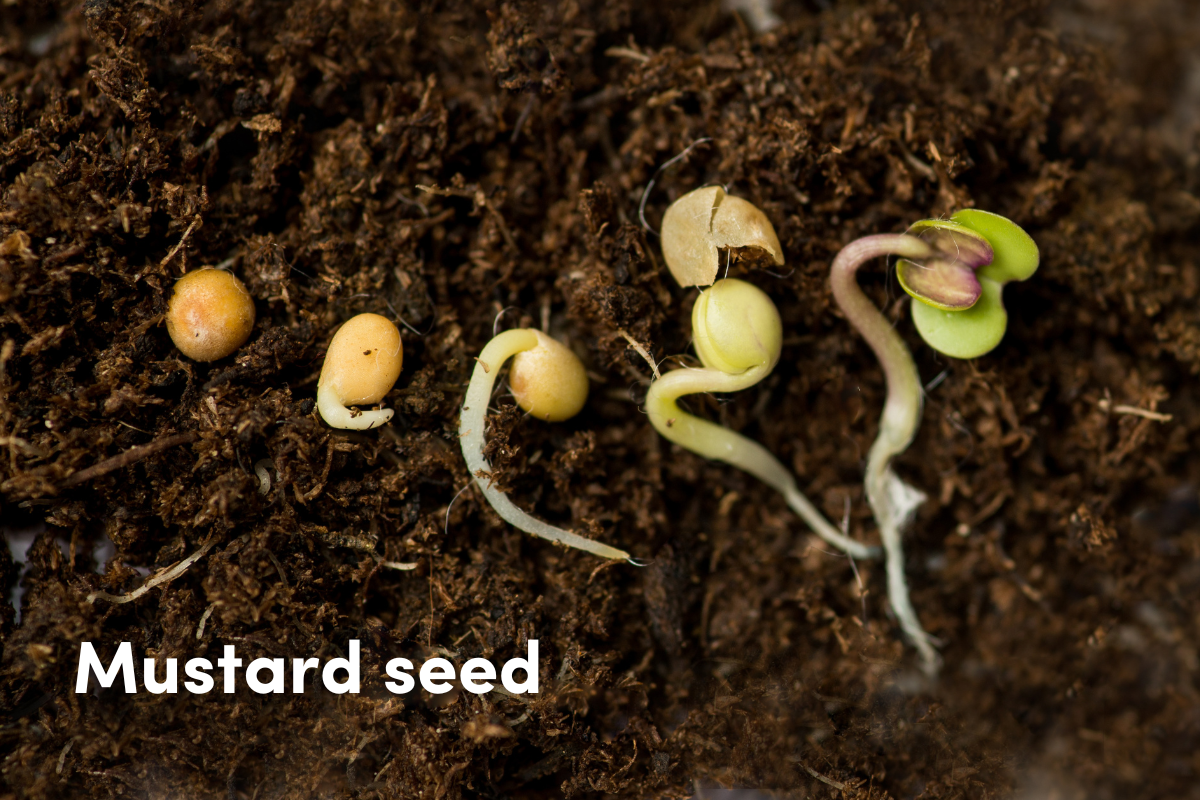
pixel 957 270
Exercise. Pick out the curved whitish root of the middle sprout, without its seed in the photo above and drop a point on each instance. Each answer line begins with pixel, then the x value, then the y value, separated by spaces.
pixel 471 435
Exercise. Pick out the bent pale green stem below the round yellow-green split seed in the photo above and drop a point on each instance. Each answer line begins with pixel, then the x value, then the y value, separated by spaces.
pixel 718 443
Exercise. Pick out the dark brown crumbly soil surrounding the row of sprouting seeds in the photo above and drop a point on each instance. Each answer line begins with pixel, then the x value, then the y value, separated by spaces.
pixel 458 167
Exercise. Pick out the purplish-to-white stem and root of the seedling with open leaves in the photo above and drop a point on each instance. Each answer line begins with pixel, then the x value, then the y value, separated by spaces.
pixel 892 501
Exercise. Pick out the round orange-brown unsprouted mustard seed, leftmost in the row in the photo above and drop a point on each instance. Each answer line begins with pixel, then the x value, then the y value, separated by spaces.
pixel 211 315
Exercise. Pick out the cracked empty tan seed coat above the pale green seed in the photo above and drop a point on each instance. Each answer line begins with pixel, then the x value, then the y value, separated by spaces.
pixel 701 224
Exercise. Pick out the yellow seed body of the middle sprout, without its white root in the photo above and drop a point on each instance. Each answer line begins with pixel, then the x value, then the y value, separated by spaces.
pixel 549 382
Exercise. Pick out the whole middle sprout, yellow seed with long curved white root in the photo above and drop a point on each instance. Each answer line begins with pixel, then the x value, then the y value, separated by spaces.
pixel 550 383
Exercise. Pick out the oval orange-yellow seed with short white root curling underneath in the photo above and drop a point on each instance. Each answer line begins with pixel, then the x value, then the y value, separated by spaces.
pixel 362 366
